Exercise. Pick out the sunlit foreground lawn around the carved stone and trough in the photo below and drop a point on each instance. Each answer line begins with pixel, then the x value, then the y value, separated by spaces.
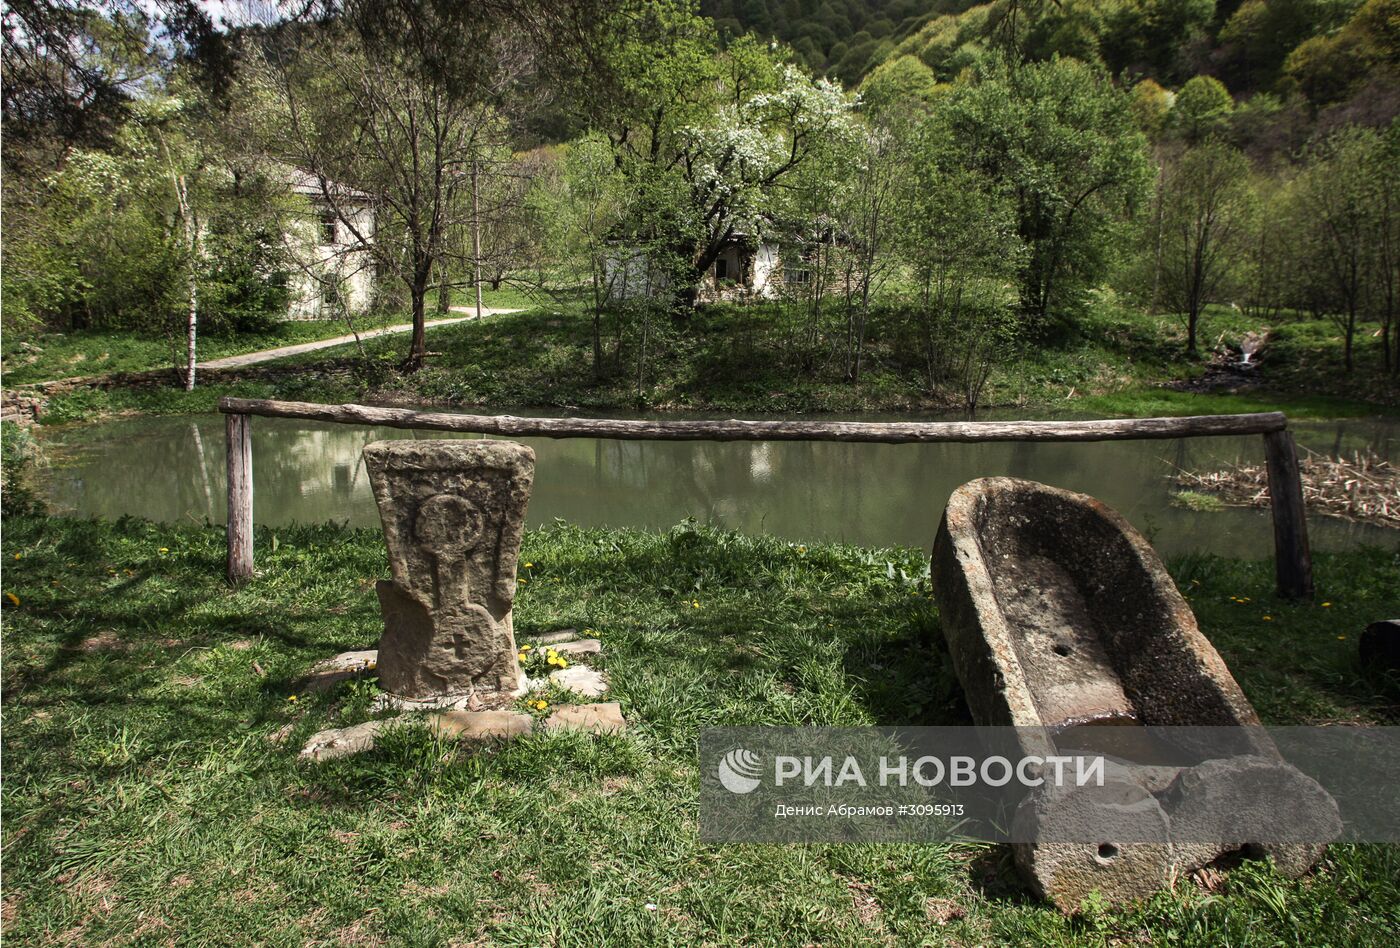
pixel 146 799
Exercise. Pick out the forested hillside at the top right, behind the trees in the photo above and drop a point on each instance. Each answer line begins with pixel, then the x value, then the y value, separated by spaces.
pixel 1291 60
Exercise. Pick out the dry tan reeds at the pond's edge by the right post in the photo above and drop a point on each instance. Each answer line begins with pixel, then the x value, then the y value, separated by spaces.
pixel 1364 488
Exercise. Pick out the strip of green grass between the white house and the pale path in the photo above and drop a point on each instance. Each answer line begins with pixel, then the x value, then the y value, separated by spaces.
pixel 51 356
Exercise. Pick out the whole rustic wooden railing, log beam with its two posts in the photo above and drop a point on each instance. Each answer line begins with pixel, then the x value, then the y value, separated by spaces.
pixel 1293 557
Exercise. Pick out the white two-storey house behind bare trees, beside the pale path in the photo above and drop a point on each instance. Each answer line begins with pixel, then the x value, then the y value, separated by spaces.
pixel 330 247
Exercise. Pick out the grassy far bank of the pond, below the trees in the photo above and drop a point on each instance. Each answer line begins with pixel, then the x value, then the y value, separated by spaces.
pixel 738 361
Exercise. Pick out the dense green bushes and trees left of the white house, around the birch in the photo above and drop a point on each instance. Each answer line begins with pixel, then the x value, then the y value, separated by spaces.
pixel 103 243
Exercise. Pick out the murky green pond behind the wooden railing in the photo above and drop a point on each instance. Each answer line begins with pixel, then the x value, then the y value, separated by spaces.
pixel 173 470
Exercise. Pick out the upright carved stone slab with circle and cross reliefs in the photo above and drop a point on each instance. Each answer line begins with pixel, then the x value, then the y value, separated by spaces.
pixel 453 515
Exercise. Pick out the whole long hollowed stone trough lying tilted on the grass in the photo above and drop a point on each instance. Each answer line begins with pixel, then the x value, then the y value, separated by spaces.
pixel 1062 621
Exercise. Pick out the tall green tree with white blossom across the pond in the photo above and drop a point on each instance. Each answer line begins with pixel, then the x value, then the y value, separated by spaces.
pixel 708 139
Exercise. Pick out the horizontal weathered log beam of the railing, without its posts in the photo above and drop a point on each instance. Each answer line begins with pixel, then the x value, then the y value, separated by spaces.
pixel 737 431
